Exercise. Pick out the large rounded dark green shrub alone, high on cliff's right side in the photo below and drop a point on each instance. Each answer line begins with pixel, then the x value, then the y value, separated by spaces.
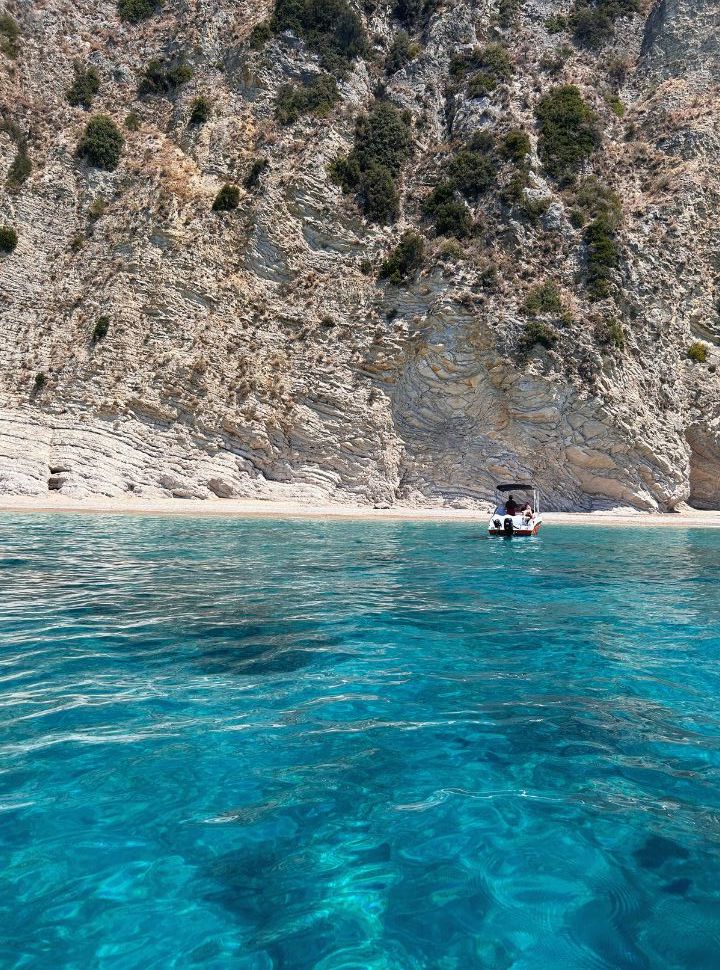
pixel 568 131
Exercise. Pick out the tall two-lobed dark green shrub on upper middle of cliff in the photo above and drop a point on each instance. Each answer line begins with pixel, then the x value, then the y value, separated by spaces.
pixel 383 140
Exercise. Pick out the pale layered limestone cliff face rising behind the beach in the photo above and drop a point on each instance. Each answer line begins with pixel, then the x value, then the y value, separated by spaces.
pixel 256 353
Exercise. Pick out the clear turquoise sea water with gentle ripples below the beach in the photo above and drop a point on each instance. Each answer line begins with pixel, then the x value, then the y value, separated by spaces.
pixel 285 744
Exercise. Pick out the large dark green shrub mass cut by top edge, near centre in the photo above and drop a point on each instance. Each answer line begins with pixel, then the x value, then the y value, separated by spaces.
pixel 330 28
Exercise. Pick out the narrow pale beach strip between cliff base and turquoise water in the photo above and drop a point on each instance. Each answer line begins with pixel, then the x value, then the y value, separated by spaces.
pixel 283 509
